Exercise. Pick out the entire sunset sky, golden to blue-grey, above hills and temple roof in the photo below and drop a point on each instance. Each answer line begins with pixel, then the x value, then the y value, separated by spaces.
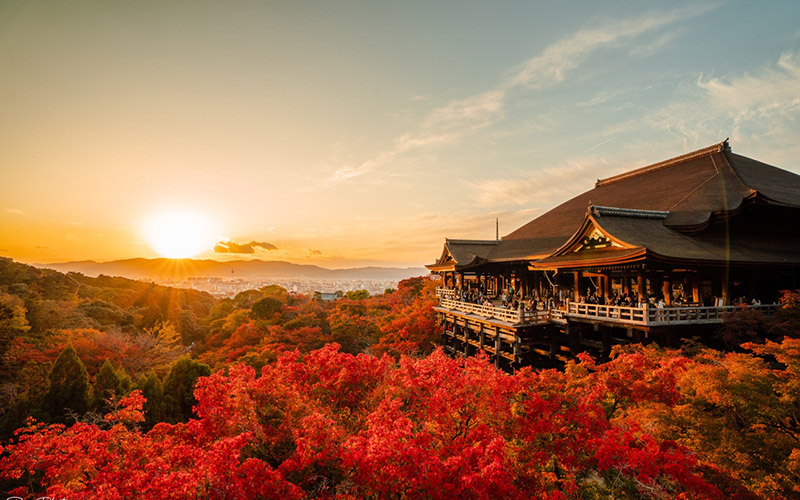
pixel 362 133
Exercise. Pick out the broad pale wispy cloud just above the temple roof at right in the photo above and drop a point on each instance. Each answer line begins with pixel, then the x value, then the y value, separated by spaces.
pixel 759 111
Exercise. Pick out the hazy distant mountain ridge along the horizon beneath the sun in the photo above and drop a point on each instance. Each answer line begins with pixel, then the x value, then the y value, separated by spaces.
pixel 254 269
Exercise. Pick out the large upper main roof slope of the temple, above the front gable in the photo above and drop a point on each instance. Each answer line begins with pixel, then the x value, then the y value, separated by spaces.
pixel 690 187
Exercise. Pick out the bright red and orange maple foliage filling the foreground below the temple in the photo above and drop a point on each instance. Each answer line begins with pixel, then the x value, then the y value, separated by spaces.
pixel 335 424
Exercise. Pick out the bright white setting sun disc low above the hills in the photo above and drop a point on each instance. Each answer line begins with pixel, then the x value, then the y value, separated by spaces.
pixel 179 235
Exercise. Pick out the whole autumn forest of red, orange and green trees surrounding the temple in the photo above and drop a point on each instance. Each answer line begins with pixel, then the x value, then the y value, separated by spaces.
pixel 113 388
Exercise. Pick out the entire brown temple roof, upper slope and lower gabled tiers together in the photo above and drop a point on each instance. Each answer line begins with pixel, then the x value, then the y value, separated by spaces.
pixel 668 209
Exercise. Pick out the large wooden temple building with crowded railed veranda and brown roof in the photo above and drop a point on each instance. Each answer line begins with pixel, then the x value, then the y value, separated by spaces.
pixel 659 253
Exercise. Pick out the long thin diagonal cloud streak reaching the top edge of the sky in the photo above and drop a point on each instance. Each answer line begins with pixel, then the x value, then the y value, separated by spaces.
pixel 456 119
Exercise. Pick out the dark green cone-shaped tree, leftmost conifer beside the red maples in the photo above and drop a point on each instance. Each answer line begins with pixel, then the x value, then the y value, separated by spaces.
pixel 69 387
